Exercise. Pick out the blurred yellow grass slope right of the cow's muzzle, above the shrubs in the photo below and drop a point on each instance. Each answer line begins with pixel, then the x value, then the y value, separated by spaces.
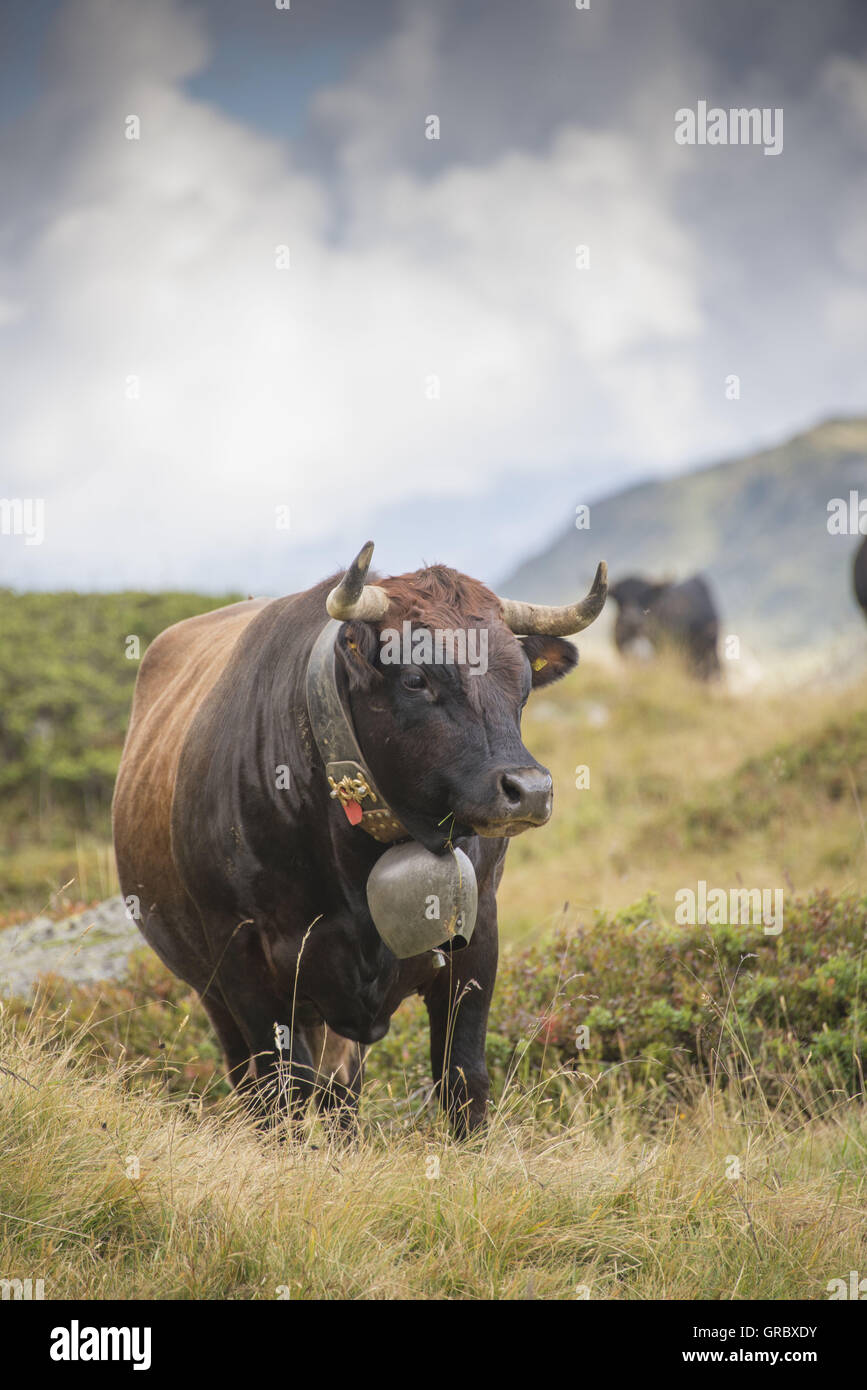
pixel 686 785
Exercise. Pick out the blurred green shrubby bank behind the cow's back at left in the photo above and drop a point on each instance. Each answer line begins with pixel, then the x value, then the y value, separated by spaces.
pixel 67 673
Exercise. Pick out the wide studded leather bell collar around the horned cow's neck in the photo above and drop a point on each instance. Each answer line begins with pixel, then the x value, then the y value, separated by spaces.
pixel 349 778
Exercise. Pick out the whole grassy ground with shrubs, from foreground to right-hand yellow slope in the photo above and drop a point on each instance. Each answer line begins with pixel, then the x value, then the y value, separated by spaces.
pixel 709 1143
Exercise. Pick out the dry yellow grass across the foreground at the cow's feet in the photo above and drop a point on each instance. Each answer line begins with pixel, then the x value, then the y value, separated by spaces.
pixel 583 1207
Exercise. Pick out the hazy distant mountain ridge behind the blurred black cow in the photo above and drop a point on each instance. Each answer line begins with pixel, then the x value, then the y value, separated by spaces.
pixel 755 526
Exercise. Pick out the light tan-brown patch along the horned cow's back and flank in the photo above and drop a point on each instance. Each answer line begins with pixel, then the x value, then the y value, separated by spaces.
pixel 179 671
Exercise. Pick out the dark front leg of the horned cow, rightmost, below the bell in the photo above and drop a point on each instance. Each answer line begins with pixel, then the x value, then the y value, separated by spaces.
pixel 458 1007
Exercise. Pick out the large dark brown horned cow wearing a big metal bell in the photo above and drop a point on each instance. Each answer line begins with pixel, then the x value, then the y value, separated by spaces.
pixel 251 875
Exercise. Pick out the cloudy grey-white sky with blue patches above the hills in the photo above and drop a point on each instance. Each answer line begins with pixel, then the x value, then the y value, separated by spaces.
pixel 284 295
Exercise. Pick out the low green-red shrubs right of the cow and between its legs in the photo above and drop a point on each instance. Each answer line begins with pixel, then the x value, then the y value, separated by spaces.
pixel 658 997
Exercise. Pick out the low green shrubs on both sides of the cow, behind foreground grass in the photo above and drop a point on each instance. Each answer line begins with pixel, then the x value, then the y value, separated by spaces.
pixel 658 1000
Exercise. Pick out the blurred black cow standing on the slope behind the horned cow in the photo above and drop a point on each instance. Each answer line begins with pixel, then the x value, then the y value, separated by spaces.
pixel 670 615
